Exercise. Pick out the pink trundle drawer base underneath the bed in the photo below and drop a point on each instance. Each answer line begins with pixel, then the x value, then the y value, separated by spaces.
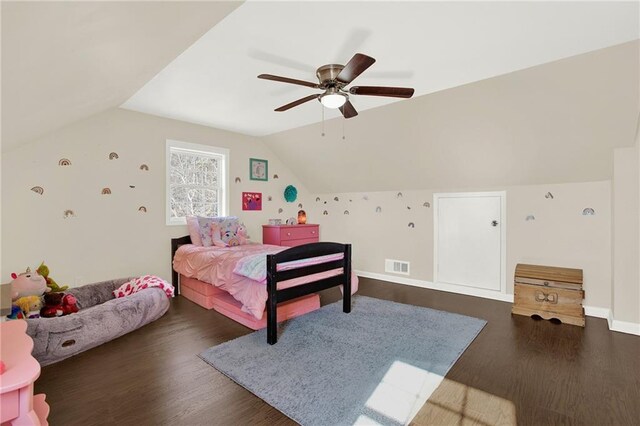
pixel 211 297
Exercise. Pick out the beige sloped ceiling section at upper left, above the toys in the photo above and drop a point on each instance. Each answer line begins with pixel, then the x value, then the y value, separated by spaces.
pixel 64 61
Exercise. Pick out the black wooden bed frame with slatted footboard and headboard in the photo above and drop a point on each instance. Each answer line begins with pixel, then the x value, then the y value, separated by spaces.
pixel 274 276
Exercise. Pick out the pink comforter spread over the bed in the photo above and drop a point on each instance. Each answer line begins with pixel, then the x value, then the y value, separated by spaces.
pixel 215 265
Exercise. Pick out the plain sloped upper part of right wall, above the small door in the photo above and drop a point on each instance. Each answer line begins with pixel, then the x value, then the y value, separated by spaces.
pixel 552 123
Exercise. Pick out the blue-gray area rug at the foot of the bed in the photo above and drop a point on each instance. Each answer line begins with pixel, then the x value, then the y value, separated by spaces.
pixel 332 368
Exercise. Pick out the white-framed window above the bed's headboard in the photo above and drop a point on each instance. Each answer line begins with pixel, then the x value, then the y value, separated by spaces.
pixel 196 181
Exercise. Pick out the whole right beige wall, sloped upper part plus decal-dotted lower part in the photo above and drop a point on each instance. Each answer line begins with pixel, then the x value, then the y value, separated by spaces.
pixel 550 128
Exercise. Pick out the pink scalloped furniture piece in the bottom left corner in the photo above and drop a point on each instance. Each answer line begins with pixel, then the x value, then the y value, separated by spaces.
pixel 18 405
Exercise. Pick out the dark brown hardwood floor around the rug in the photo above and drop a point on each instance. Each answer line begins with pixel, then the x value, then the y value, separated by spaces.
pixel 517 370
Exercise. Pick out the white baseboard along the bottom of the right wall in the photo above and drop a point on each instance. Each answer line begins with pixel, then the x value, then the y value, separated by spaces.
pixel 592 311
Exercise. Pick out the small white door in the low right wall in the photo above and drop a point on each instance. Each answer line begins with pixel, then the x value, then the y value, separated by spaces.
pixel 469 239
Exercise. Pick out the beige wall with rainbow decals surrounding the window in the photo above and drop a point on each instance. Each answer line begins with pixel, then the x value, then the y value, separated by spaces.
pixel 109 237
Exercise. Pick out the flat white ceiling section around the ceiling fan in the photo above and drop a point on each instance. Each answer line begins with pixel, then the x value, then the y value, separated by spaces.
pixel 430 46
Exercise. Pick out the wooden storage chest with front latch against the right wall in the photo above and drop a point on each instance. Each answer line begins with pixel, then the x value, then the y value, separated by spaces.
pixel 549 292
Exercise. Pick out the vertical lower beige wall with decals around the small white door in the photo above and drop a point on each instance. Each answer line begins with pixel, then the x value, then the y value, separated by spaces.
pixel 559 236
